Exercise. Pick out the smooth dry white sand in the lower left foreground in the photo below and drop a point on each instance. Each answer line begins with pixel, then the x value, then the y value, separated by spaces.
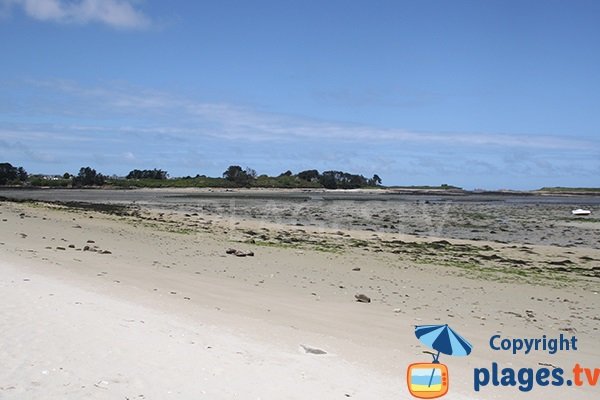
pixel 62 342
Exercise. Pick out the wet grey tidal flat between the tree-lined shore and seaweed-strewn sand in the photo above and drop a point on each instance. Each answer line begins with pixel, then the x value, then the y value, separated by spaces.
pixel 522 219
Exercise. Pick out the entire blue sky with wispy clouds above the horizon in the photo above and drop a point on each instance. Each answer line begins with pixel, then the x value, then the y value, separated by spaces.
pixel 480 94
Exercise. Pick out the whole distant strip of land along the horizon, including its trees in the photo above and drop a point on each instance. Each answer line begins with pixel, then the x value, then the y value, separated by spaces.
pixel 237 177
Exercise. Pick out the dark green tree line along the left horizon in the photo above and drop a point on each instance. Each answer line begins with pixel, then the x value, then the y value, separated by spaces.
pixel 233 176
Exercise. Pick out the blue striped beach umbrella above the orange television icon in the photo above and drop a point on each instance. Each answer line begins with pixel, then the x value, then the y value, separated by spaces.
pixel 443 339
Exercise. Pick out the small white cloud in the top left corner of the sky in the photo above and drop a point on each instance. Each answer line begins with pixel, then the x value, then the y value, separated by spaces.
pixel 120 14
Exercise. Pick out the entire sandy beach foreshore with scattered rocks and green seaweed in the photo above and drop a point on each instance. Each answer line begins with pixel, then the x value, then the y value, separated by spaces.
pixel 142 300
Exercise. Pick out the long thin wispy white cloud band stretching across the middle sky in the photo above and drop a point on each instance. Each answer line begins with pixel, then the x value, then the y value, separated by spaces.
pixel 172 114
